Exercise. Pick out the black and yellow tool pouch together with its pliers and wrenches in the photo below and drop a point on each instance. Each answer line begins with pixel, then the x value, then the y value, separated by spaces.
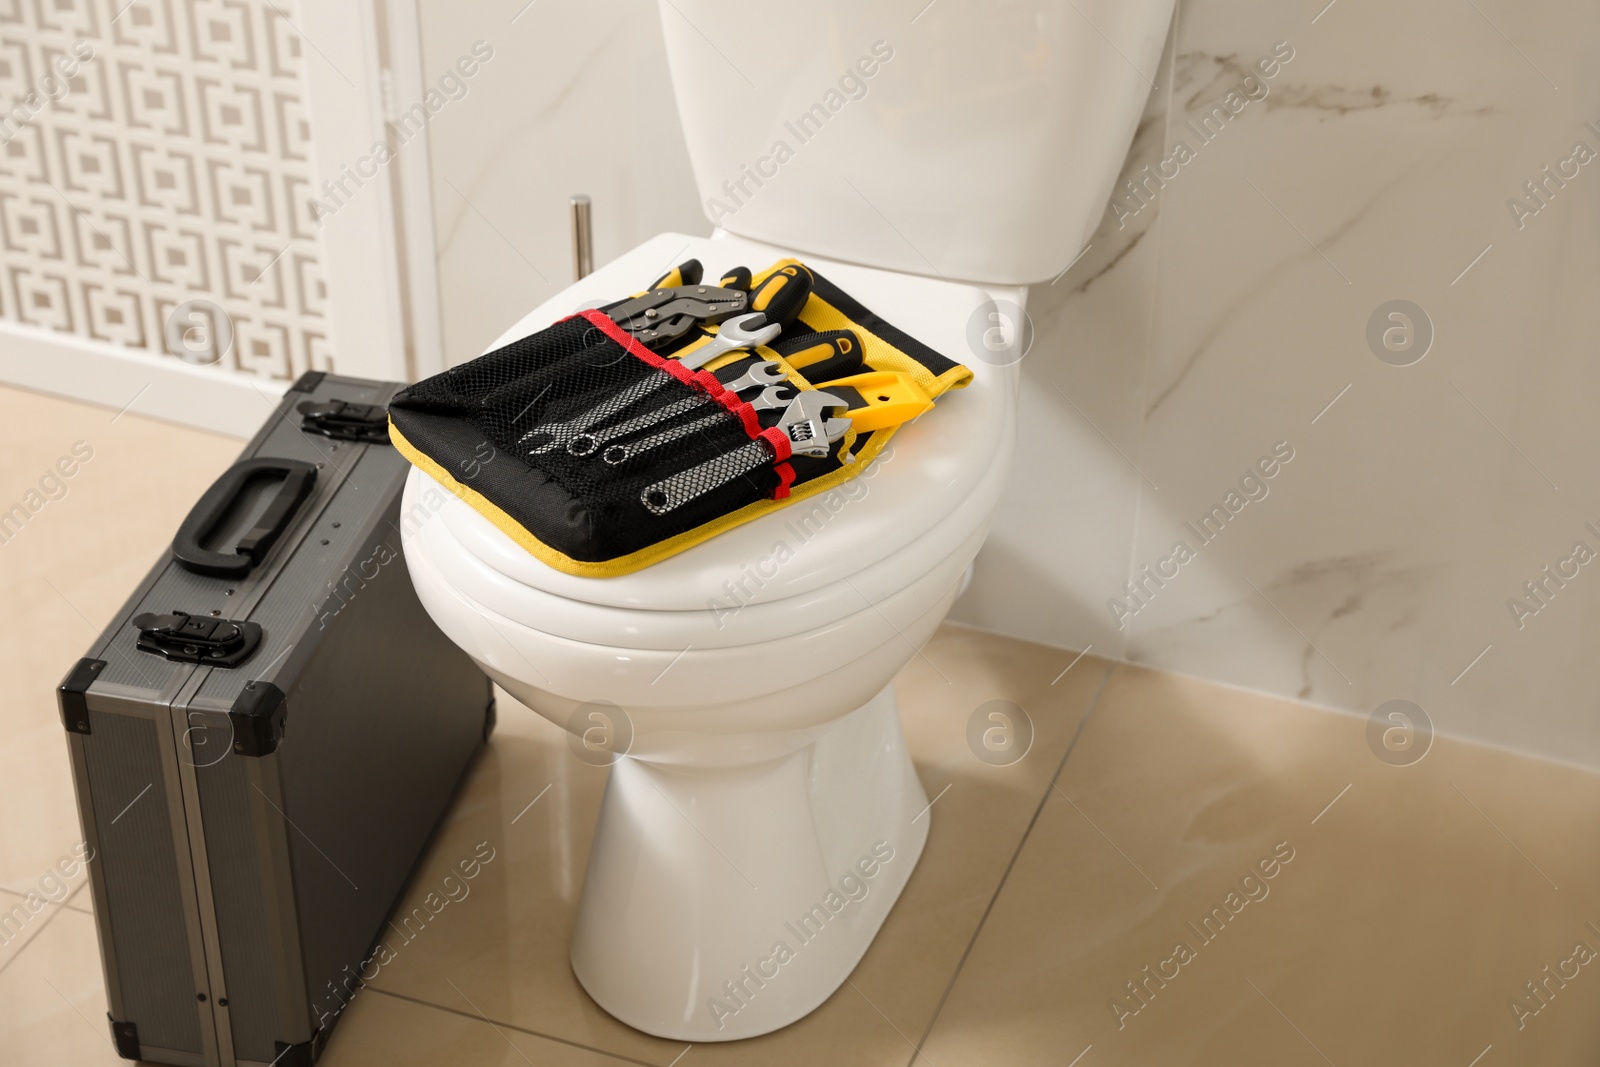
pixel 650 425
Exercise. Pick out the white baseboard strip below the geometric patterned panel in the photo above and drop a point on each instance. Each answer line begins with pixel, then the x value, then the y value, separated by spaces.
pixel 151 386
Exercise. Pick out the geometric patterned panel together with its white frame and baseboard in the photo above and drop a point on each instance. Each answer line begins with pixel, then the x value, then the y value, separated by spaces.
pixel 159 244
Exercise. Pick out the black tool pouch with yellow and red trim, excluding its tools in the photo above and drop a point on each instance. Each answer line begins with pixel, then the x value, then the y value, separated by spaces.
pixel 516 434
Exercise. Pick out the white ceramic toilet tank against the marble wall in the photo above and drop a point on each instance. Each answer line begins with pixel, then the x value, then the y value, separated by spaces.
pixel 972 142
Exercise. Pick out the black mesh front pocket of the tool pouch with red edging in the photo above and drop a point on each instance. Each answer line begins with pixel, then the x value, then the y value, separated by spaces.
pixel 588 449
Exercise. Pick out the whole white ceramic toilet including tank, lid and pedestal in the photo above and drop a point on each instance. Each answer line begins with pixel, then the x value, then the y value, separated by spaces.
pixel 767 813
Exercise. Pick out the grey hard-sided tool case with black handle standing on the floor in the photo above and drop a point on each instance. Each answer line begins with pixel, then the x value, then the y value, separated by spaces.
pixel 263 743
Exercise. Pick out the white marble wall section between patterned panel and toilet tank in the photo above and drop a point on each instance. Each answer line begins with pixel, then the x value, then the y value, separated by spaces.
pixel 575 100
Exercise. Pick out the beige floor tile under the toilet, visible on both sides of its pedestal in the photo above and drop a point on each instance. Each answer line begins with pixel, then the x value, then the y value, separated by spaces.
pixel 505 948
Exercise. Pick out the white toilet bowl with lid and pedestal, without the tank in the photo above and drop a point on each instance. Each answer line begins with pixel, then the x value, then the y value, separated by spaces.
pixel 751 677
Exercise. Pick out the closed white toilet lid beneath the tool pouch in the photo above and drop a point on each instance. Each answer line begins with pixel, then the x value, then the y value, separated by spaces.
pixel 930 470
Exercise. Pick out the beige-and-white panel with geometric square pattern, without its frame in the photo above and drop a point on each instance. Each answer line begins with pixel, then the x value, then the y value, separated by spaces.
pixel 153 154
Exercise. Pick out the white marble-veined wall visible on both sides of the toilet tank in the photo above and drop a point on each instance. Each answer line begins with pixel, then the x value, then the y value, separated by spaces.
pixel 1198 334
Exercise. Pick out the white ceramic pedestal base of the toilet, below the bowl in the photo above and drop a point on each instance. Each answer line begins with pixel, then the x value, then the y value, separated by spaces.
pixel 729 903
